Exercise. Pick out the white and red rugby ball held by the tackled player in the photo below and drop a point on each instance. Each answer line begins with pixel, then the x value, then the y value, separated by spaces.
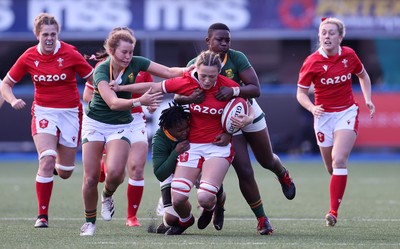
pixel 234 107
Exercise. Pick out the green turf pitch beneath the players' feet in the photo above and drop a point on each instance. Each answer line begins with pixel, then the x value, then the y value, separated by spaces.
pixel 369 216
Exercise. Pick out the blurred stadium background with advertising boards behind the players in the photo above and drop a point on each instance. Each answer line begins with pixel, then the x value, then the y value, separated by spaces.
pixel 276 35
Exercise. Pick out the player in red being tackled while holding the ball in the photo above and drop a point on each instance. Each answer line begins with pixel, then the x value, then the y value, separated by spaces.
pixel 208 154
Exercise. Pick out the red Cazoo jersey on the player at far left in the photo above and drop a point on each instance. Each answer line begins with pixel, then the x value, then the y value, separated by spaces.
pixel 53 75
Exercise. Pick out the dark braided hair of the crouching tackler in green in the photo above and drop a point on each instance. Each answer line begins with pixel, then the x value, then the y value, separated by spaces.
pixel 173 115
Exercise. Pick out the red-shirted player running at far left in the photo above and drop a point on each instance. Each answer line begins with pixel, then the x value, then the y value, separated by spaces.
pixel 56 110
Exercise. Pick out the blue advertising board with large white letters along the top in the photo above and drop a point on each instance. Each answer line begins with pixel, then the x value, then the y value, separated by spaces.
pixel 268 18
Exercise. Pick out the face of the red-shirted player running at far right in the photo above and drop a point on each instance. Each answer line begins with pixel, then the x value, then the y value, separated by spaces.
pixel 329 38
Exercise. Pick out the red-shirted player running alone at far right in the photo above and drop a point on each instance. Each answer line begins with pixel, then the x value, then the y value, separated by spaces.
pixel 335 111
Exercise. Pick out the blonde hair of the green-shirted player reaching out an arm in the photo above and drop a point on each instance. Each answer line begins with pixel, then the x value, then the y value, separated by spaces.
pixel 115 36
